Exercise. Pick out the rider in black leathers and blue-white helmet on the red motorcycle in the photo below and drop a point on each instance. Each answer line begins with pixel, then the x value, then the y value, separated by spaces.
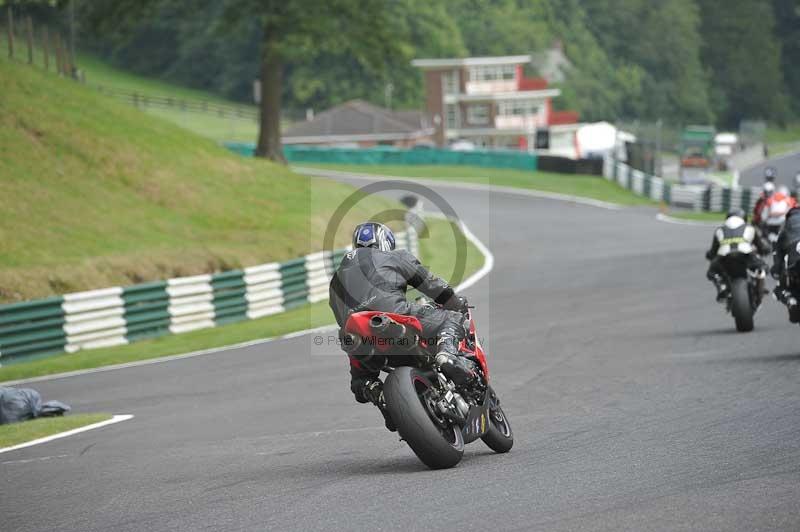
pixel 375 276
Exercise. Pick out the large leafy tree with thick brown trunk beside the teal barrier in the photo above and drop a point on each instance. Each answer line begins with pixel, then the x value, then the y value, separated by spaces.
pixel 289 31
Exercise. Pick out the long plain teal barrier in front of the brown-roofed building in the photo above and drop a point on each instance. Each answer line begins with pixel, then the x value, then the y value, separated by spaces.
pixel 309 154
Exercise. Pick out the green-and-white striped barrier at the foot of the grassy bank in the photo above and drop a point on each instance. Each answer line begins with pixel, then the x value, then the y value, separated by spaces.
pixel 120 315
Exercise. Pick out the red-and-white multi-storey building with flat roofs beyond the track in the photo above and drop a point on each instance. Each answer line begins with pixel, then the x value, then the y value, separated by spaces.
pixel 488 100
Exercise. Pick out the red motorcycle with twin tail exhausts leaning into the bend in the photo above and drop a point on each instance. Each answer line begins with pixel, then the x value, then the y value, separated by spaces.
pixel 433 415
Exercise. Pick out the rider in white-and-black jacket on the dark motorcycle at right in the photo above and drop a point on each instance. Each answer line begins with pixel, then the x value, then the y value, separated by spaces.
pixel 734 236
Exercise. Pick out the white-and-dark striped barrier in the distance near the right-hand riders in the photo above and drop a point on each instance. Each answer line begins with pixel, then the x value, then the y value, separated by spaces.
pixel 713 198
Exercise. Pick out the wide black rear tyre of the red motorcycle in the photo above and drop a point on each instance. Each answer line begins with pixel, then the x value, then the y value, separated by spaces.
pixel 414 424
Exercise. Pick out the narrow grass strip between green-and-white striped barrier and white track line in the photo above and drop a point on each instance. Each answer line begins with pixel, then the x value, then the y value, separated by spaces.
pixel 438 251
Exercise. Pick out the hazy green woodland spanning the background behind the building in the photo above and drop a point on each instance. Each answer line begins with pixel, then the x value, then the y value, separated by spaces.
pixel 682 61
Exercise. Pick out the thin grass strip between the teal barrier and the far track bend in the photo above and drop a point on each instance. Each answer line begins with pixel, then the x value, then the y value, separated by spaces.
pixel 588 186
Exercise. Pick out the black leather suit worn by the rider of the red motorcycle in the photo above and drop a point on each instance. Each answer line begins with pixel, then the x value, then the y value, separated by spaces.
pixel 370 279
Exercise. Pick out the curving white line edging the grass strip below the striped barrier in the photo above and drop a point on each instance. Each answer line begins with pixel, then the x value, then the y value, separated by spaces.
pixel 488 265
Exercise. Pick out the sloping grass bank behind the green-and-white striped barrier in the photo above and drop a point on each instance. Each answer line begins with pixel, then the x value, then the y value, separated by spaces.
pixel 98 194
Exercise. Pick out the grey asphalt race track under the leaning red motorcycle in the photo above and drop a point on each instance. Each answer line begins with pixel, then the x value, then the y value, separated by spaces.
pixel 634 402
